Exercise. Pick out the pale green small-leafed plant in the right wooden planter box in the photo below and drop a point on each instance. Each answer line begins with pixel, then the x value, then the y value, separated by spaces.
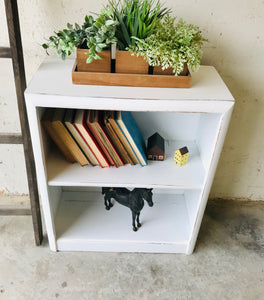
pixel 171 45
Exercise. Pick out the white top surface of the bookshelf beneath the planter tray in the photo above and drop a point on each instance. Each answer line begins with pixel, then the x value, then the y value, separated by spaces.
pixel 54 78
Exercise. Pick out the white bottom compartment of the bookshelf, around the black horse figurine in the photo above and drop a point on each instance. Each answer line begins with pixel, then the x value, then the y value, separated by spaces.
pixel 84 224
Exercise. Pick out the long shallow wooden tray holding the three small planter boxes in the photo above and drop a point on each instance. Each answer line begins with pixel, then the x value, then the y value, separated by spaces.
pixel 140 80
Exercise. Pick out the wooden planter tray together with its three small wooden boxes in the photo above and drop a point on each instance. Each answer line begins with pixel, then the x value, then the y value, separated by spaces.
pixel 129 71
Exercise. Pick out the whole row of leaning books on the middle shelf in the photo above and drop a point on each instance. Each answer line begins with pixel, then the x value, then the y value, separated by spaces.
pixel 96 137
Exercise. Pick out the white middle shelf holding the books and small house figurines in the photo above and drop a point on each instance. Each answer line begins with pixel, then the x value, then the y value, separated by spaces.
pixel 156 175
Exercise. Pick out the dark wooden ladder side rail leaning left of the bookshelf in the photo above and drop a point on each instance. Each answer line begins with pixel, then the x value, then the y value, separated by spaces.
pixel 12 18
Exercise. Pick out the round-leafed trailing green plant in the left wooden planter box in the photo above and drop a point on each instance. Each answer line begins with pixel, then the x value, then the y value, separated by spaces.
pixel 95 35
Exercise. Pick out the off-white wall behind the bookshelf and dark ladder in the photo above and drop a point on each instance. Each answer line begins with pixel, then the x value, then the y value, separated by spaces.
pixel 235 48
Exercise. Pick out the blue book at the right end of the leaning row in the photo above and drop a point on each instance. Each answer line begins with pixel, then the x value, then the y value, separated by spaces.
pixel 132 133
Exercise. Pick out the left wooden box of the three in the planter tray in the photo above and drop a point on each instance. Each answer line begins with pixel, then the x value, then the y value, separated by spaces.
pixel 100 65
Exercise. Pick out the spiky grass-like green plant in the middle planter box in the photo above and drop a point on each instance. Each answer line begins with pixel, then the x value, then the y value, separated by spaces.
pixel 136 18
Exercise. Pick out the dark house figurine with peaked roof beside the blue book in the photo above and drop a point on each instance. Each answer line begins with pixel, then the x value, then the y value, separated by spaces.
pixel 155 147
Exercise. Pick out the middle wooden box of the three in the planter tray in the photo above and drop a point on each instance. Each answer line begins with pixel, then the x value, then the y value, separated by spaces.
pixel 130 64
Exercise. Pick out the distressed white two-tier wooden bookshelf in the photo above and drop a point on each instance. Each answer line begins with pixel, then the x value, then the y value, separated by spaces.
pixel 73 205
